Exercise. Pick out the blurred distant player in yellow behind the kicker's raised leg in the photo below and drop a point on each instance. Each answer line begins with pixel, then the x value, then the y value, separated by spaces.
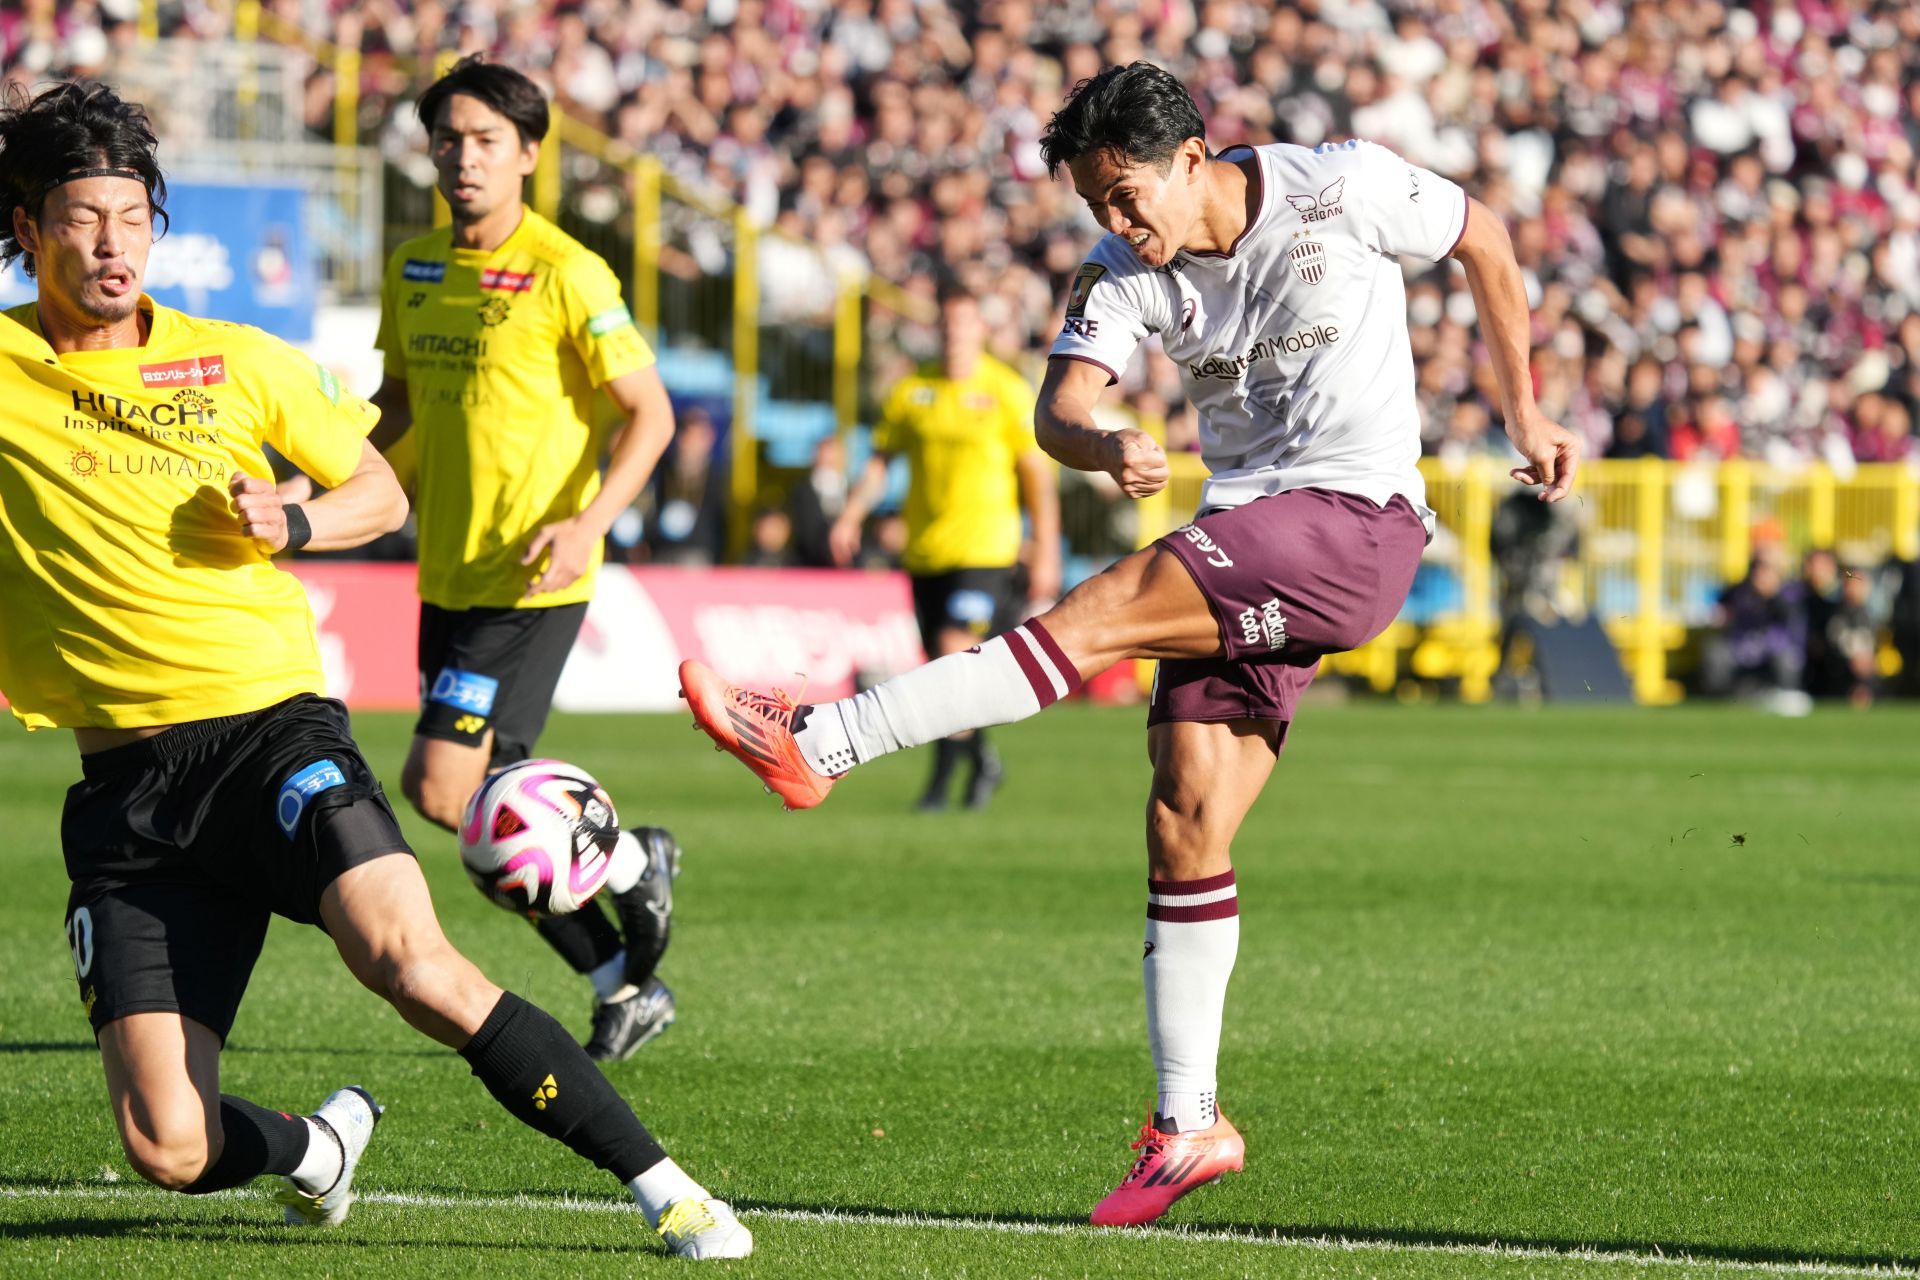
pixel 967 431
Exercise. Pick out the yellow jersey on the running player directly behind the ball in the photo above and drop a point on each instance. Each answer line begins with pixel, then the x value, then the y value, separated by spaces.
pixel 504 354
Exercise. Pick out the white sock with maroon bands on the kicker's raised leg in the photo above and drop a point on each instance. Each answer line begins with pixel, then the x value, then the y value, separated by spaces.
pixel 1003 680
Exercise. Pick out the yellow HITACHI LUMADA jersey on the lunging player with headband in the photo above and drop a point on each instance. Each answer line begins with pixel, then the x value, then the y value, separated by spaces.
pixel 128 592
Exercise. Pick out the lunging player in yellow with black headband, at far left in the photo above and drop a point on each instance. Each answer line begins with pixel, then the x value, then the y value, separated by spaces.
pixel 218 786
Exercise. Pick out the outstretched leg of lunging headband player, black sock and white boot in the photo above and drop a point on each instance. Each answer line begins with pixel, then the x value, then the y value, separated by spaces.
pixel 383 922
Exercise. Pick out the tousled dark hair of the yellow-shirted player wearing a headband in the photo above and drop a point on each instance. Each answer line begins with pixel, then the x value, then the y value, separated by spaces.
pixel 62 131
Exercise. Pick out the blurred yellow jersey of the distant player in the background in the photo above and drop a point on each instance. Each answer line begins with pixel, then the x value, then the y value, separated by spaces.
pixel 963 442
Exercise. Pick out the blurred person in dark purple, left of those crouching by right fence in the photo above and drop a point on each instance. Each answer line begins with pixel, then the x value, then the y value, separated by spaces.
pixel 1762 644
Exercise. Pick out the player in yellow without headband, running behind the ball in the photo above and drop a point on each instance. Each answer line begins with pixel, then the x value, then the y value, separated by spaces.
pixel 500 333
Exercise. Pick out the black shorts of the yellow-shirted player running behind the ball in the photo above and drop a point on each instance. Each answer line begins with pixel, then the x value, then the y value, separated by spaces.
pixel 492 669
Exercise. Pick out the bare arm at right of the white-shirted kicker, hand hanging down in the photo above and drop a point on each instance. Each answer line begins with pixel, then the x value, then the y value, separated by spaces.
pixel 1500 298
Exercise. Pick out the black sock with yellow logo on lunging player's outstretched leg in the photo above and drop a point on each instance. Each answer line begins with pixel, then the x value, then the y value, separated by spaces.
pixel 546 1081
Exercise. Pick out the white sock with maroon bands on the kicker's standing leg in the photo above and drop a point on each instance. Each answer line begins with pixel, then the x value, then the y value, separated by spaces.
pixel 1193 934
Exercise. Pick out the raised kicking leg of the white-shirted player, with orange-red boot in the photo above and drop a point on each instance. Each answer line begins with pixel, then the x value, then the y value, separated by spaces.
pixel 1145 607
